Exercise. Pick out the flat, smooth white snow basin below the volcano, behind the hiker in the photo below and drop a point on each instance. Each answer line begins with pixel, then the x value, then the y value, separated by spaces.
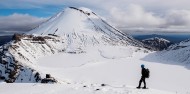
pixel 102 65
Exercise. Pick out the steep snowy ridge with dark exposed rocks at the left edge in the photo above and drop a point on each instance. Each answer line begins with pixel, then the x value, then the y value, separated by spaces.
pixel 18 57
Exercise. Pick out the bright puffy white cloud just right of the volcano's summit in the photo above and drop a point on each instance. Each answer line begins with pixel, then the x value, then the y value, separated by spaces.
pixel 135 16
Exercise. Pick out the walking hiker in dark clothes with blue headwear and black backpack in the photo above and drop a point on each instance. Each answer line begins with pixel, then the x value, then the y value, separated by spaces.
pixel 145 74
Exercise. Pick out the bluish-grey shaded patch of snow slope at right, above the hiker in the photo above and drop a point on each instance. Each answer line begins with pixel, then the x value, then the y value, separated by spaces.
pixel 157 57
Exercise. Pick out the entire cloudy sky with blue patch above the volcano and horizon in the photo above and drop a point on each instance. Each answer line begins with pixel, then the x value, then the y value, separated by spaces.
pixel 164 15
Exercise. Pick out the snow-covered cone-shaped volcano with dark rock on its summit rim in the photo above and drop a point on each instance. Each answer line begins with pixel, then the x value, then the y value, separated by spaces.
pixel 81 25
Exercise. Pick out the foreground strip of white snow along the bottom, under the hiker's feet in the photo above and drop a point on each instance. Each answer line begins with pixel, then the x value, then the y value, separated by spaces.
pixel 72 89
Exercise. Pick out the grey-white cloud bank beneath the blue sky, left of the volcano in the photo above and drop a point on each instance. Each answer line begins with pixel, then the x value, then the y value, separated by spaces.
pixel 19 22
